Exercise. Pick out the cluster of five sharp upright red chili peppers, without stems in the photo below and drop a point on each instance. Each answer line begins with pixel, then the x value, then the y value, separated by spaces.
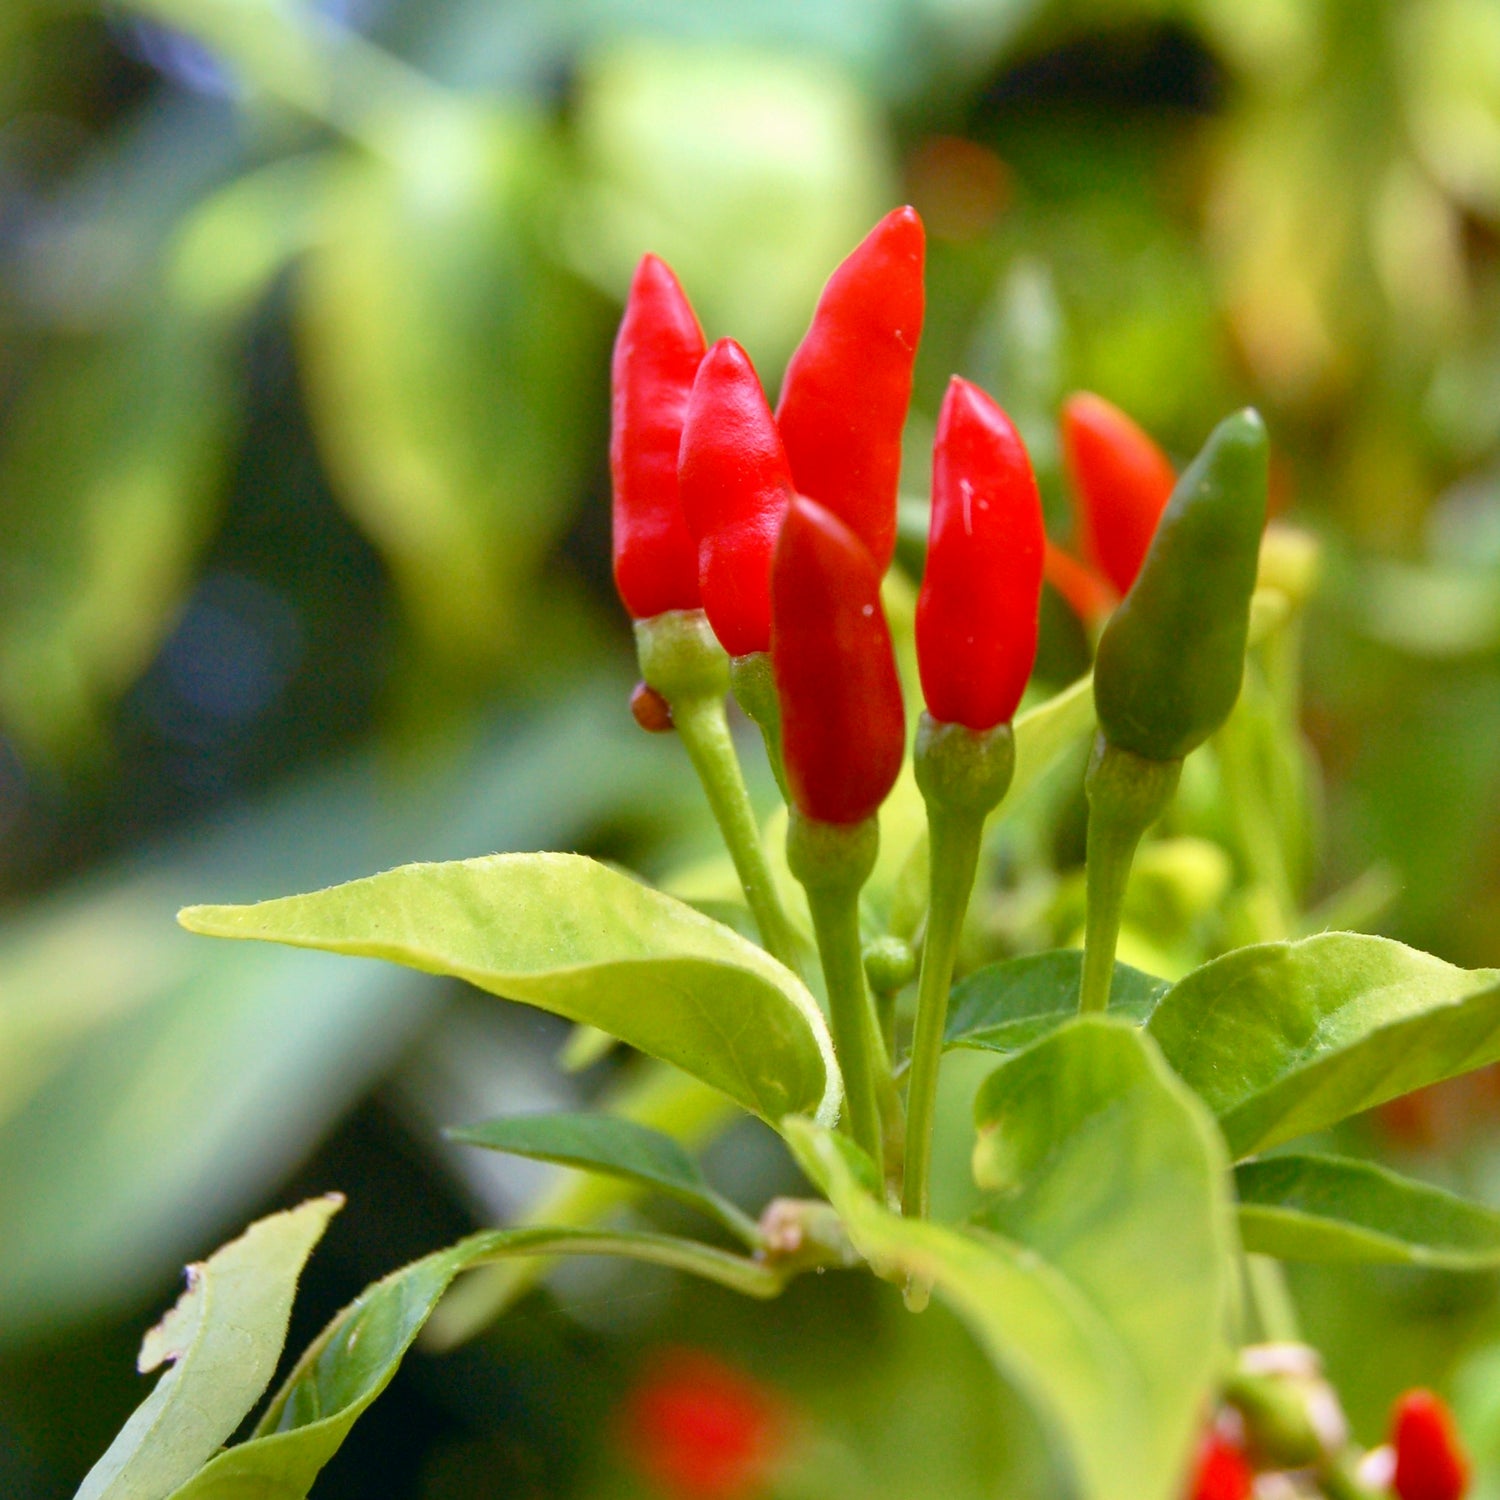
pixel 781 526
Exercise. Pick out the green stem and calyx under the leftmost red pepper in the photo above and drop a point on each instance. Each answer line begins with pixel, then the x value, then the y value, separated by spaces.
pixel 686 665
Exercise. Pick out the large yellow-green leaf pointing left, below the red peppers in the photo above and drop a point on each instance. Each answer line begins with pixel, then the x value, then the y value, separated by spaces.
pixel 586 943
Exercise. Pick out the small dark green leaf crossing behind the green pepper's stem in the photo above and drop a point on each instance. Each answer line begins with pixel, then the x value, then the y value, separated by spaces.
pixel 1004 1007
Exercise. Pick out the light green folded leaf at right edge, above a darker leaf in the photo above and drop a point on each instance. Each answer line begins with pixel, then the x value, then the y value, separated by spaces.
pixel 1288 1039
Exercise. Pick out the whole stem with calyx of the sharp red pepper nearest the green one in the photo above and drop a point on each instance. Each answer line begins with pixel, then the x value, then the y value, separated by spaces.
pixel 964 776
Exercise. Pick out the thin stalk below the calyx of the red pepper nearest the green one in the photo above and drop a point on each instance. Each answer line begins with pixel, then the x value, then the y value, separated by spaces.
pixel 955 860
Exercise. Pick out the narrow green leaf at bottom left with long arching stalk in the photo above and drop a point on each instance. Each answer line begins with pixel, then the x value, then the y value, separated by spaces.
pixel 356 1357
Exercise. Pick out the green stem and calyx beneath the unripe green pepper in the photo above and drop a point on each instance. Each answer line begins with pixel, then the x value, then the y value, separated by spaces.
pixel 1127 794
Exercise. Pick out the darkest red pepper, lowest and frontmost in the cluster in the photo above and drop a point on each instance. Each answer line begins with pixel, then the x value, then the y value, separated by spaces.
pixel 844 727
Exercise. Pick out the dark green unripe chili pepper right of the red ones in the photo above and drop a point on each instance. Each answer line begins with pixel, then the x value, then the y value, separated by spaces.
pixel 1172 658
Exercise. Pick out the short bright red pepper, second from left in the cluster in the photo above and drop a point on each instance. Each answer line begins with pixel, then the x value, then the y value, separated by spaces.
pixel 736 488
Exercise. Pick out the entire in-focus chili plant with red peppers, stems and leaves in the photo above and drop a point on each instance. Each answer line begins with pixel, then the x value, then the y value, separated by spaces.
pixel 1135 1190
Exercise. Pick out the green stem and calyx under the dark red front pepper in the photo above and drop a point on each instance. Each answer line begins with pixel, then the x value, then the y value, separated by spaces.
pixel 833 862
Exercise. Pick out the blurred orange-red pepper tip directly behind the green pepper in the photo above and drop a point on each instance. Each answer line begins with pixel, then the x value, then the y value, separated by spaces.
pixel 1123 482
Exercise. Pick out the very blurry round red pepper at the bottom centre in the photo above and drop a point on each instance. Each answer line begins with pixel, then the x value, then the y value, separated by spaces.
pixel 701 1430
